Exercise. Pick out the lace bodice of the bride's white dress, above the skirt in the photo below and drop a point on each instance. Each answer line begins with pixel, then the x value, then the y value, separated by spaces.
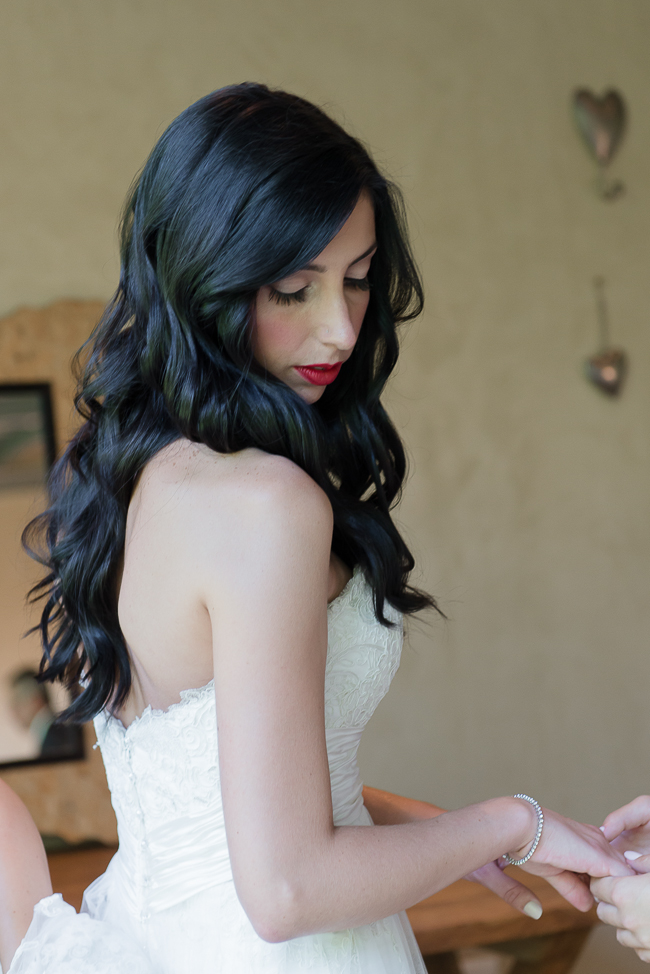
pixel 163 769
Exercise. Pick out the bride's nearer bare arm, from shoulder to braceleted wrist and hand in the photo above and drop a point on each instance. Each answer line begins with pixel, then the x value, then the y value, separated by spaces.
pixel 262 556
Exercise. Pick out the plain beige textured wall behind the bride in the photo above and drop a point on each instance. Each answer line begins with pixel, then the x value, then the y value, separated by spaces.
pixel 528 504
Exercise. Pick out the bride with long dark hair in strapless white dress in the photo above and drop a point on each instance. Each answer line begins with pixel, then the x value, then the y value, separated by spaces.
pixel 226 585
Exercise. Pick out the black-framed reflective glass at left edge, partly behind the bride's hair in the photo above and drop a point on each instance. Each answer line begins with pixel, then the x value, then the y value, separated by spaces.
pixel 28 709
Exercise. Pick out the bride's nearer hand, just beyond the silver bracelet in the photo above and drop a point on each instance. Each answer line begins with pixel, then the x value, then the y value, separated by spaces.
pixel 568 848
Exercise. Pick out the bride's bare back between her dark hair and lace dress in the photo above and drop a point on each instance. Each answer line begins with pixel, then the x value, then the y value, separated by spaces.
pixel 161 609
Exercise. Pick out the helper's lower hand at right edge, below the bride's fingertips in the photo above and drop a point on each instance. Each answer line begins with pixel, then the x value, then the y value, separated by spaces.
pixel 625 903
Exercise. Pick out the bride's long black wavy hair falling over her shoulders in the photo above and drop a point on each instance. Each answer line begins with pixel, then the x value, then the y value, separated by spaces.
pixel 244 188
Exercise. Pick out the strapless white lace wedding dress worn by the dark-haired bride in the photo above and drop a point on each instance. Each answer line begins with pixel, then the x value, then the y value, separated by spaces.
pixel 167 902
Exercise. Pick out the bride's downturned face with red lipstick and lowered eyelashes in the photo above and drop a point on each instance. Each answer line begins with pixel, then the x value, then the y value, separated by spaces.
pixel 306 325
